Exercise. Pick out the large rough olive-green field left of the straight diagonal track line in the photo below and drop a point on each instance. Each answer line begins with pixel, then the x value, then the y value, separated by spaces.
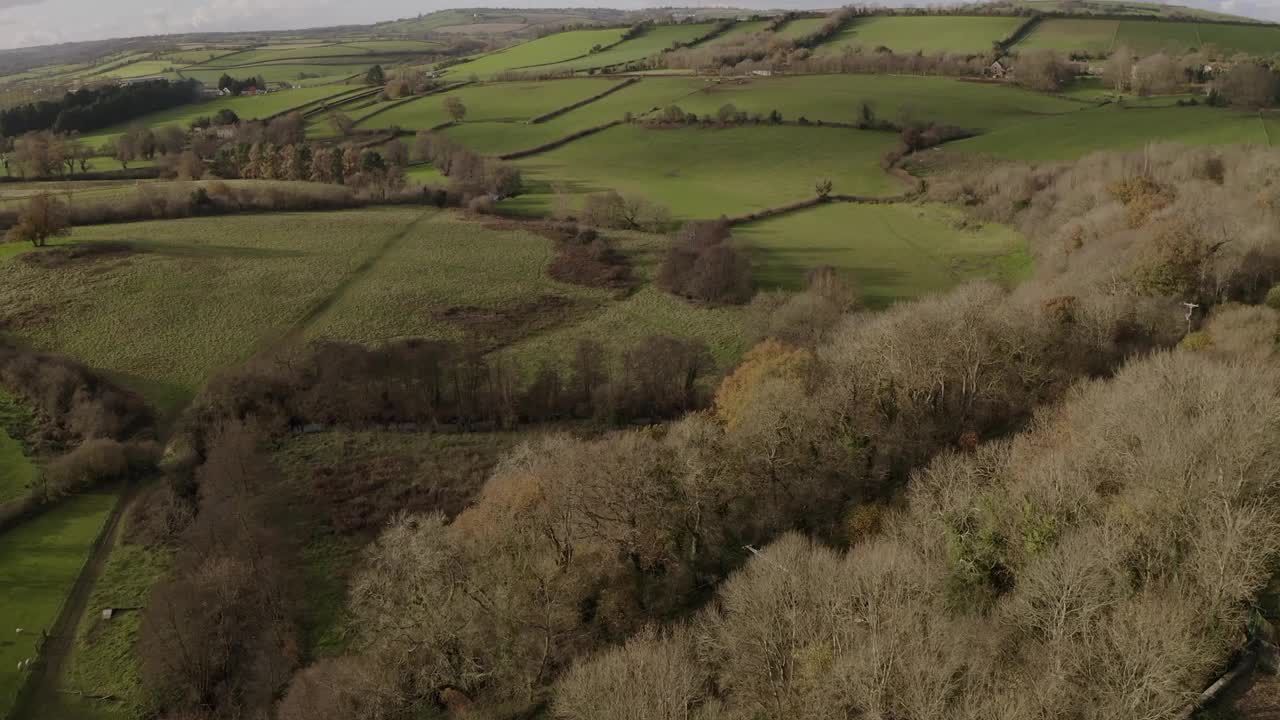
pixel 198 295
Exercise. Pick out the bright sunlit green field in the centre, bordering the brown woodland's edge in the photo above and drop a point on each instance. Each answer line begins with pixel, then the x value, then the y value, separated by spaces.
pixel 889 253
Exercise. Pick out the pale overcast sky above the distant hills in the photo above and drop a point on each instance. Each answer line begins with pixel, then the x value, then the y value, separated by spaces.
pixel 43 22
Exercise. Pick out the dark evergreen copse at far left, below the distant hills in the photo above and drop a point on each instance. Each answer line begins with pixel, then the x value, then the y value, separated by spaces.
pixel 94 108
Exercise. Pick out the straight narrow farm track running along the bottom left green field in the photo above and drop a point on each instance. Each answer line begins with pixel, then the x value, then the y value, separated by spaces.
pixel 45 681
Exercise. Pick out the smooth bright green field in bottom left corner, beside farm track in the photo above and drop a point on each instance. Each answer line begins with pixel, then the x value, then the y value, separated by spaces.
pixel 39 563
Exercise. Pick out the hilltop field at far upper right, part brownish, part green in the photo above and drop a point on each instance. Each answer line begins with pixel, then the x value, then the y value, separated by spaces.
pixel 1100 37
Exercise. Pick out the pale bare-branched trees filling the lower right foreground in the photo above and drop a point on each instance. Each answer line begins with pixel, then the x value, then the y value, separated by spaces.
pixel 1059 573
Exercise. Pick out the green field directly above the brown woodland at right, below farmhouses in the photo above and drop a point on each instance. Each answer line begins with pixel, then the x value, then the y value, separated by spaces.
pixel 1072 136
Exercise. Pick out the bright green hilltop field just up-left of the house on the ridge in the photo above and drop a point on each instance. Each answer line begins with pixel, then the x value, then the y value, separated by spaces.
pixel 927 34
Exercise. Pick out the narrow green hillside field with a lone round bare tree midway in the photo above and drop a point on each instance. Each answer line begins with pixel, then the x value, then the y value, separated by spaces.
pixel 509 102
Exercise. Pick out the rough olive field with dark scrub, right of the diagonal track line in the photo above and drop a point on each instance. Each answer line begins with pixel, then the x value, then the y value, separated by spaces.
pixel 499 276
